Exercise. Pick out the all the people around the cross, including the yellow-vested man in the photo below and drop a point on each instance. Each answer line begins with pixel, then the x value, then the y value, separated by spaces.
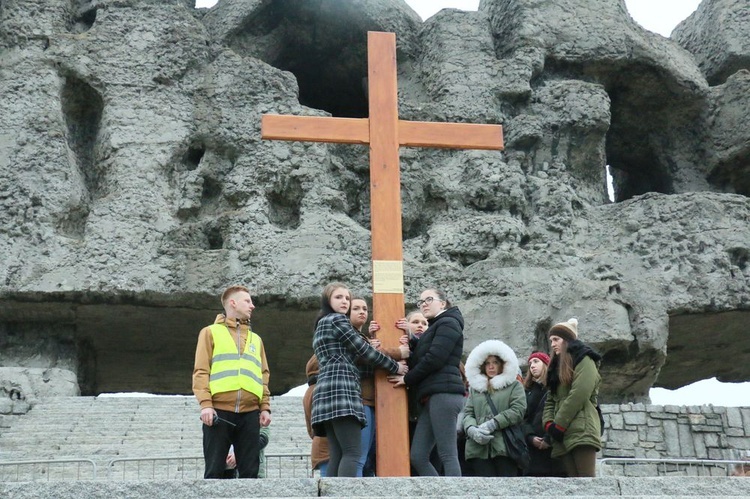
pixel 462 418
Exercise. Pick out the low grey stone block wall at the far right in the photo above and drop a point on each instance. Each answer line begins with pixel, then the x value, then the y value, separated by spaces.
pixel 671 431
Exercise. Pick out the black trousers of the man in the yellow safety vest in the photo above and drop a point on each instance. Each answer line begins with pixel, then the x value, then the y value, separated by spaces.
pixel 245 437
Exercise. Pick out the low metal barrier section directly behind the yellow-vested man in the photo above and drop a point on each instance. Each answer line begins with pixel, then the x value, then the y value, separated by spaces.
pixel 191 467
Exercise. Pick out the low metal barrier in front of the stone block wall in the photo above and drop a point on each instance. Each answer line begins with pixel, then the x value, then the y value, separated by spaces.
pixel 644 467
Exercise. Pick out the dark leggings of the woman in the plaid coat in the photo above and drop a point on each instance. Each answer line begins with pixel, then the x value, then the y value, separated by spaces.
pixel 344 446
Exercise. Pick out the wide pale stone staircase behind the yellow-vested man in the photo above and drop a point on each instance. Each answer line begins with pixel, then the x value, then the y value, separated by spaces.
pixel 105 428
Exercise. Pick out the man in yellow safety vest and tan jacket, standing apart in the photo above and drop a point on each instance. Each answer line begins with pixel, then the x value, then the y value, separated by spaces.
pixel 230 381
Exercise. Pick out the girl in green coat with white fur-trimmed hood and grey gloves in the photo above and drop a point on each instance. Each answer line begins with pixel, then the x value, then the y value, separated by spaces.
pixel 491 369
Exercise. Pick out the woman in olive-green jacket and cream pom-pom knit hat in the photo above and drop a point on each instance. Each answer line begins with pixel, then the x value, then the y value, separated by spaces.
pixel 570 415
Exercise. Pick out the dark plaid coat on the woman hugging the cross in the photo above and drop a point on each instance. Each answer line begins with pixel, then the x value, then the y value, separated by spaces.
pixel 338 393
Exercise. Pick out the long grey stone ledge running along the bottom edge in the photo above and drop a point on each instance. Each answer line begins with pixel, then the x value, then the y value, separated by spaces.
pixel 600 488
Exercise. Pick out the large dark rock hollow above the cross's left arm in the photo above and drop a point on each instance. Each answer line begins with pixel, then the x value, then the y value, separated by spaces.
pixel 322 42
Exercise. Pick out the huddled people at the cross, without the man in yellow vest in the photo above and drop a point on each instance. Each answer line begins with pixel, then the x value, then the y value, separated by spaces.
pixel 462 422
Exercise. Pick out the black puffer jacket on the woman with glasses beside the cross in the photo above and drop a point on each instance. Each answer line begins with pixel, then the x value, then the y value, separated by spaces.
pixel 434 363
